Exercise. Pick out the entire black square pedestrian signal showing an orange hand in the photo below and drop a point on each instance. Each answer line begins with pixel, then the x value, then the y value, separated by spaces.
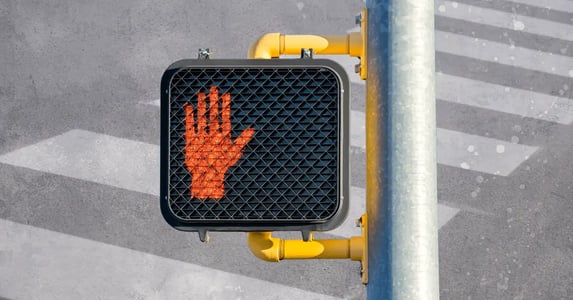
pixel 253 145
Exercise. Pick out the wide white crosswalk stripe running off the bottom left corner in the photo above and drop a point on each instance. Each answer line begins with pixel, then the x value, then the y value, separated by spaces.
pixel 53 265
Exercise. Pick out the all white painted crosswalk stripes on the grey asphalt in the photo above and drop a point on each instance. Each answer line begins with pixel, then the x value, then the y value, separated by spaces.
pixel 30 255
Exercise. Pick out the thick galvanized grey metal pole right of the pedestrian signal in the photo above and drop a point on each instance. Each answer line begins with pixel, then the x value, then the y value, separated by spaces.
pixel 401 151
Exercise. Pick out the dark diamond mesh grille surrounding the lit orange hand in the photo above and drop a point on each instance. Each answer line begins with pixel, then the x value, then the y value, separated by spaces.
pixel 289 170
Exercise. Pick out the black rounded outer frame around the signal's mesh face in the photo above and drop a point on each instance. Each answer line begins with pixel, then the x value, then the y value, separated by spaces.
pixel 343 184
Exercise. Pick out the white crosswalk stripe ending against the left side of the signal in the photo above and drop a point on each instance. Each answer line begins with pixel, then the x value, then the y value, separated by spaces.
pixel 94 157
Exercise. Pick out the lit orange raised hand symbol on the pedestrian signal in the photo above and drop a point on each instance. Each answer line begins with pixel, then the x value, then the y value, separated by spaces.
pixel 210 153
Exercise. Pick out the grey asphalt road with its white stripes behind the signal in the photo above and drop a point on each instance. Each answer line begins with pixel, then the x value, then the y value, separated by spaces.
pixel 79 142
